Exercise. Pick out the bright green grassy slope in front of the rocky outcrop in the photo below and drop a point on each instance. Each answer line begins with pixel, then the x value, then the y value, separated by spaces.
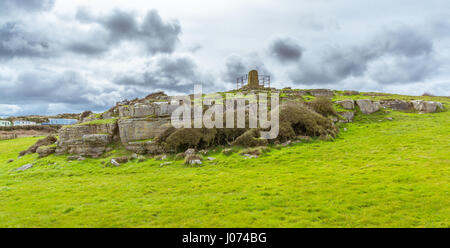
pixel 376 174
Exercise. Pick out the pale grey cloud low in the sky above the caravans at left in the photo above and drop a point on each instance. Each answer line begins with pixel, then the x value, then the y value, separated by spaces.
pixel 46 92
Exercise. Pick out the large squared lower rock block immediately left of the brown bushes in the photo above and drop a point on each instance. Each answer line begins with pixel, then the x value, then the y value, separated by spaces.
pixel 142 128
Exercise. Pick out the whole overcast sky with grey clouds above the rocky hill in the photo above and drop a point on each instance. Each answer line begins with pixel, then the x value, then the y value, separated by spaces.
pixel 69 56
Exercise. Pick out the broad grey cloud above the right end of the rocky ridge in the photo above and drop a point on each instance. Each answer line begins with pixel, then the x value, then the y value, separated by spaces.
pixel 411 53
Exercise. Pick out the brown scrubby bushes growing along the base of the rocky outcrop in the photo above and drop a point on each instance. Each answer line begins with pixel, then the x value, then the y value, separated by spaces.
pixel 296 118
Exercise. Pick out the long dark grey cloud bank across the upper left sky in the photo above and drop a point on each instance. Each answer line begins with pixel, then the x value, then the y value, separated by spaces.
pixel 153 34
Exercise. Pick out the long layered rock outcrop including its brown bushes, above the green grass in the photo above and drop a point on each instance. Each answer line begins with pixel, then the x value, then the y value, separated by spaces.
pixel 143 126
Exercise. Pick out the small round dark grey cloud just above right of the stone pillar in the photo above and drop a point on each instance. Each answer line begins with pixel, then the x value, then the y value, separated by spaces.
pixel 285 50
